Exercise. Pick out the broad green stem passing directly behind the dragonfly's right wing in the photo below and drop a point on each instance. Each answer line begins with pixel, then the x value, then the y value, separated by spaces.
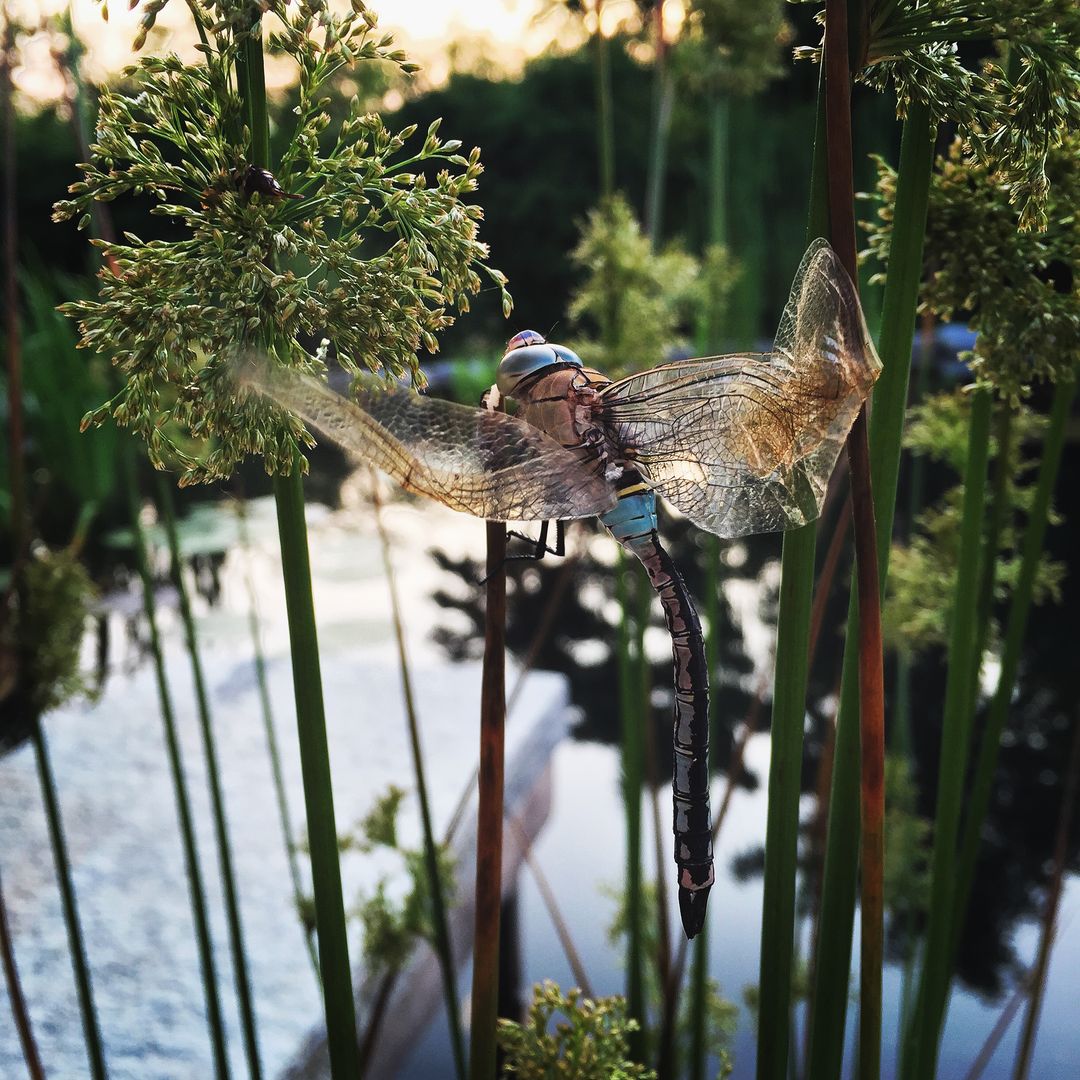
pixel 786 765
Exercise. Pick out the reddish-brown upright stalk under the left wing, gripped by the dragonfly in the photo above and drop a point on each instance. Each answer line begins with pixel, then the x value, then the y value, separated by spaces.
pixel 485 984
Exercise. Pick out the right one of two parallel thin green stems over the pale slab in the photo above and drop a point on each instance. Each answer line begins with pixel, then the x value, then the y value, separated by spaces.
pixel 240 969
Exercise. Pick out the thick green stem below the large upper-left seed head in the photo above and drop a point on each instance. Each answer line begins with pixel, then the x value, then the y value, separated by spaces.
pixel 316 767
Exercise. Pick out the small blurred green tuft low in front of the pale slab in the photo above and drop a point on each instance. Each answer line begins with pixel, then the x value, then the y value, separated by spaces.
pixel 391 928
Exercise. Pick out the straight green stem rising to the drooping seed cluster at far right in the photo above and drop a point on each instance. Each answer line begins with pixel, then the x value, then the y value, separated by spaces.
pixel 956 737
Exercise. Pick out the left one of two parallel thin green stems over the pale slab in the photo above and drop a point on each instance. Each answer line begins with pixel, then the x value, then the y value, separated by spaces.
pixel 196 889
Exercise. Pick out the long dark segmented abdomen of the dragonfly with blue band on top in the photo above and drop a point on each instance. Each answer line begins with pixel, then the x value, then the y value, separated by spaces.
pixel 633 523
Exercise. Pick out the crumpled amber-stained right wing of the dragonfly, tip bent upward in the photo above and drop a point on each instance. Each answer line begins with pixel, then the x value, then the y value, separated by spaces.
pixel 746 444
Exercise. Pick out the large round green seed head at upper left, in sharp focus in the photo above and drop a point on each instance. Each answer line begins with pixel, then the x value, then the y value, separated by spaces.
pixel 376 256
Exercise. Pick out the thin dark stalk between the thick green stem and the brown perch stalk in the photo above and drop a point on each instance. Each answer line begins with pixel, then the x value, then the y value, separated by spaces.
pixel 443 946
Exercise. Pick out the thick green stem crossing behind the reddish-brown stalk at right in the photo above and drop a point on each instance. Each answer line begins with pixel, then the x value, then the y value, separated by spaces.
pixel 890 399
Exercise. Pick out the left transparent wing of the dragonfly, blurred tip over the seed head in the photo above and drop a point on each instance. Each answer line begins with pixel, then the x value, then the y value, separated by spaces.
pixel 484 464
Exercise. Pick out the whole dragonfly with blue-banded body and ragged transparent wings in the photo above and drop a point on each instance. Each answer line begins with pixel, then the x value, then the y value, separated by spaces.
pixel 740 444
